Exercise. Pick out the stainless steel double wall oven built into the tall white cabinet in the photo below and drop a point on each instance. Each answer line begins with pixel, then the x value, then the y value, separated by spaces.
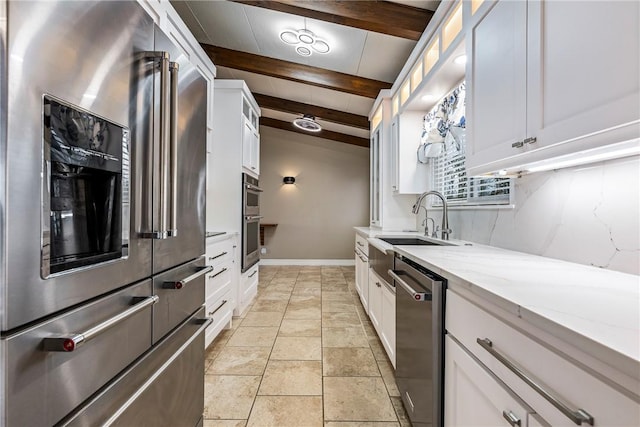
pixel 250 221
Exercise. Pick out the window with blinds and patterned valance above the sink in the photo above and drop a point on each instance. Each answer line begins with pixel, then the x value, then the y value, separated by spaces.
pixel 445 128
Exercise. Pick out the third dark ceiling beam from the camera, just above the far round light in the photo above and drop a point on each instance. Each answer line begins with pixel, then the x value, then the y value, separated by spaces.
pixel 327 114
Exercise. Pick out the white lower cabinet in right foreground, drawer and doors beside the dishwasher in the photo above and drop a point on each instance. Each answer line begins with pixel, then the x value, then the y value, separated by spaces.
pixel 559 391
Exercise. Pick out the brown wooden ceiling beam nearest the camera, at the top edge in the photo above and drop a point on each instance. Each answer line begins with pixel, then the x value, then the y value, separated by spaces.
pixel 378 16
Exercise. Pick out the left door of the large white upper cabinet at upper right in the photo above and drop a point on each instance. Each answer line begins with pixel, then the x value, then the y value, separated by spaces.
pixel 496 83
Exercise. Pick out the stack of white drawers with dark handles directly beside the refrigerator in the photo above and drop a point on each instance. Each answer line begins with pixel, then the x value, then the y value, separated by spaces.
pixel 221 284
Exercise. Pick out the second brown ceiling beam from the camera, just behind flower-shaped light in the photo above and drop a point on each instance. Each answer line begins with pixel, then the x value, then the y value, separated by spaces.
pixel 294 72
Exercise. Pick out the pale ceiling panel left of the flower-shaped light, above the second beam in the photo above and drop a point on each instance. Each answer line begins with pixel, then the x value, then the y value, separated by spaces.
pixel 225 24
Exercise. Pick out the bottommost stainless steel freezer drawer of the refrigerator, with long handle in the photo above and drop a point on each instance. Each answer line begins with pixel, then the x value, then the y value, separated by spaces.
pixel 164 388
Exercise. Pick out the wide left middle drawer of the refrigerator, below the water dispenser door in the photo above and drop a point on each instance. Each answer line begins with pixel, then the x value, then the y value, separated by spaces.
pixel 58 364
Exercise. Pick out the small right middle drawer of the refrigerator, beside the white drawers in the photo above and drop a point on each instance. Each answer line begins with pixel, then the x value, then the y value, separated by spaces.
pixel 181 292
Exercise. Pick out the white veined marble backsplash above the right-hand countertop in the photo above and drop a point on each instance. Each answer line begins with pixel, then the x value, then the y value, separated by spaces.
pixel 587 214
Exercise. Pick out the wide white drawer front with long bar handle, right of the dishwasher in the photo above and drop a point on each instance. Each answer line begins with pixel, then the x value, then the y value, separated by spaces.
pixel 570 385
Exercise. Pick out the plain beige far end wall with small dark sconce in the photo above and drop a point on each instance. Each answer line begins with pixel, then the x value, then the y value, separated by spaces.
pixel 315 216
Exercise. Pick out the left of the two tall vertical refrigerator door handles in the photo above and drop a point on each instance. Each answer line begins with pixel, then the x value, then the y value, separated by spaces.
pixel 163 58
